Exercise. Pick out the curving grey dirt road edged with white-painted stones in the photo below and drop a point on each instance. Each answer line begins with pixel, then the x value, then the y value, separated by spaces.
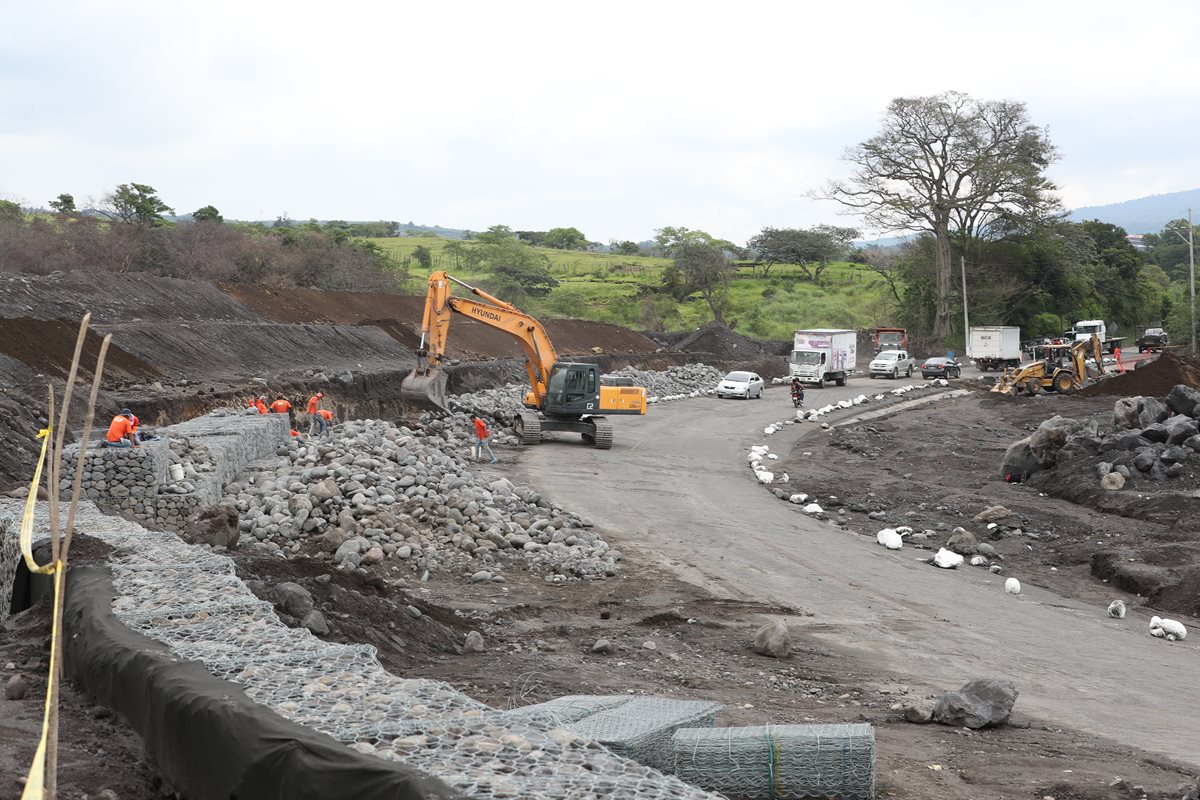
pixel 676 488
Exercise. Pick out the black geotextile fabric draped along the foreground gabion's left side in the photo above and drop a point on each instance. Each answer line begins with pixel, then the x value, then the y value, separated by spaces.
pixel 211 741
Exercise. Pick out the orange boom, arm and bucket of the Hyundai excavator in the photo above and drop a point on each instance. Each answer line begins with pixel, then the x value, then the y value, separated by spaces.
pixel 425 387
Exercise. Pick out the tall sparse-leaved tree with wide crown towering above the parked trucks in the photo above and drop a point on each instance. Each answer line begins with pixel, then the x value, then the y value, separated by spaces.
pixel 951 166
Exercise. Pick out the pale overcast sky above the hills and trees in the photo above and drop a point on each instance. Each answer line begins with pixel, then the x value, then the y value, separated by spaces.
pixel 617 118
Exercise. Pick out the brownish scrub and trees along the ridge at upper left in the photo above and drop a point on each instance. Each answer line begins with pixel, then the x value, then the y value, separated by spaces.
pixel 128 231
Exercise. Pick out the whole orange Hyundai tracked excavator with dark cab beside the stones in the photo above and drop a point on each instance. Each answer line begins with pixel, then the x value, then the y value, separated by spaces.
pixel 562 396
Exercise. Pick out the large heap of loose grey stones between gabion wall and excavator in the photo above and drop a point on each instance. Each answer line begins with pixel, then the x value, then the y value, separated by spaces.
pixel 375 492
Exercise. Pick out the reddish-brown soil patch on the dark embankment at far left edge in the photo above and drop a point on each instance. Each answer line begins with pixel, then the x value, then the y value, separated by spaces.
pixel 49 346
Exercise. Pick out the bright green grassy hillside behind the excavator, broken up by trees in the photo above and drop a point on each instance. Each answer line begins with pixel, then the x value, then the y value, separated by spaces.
pixel 604 287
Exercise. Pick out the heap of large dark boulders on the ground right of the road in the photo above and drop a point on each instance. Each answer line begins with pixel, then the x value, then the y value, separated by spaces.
pixel 1150 440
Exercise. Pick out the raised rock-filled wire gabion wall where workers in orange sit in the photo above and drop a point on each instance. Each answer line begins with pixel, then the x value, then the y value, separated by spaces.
pixel 136 482
